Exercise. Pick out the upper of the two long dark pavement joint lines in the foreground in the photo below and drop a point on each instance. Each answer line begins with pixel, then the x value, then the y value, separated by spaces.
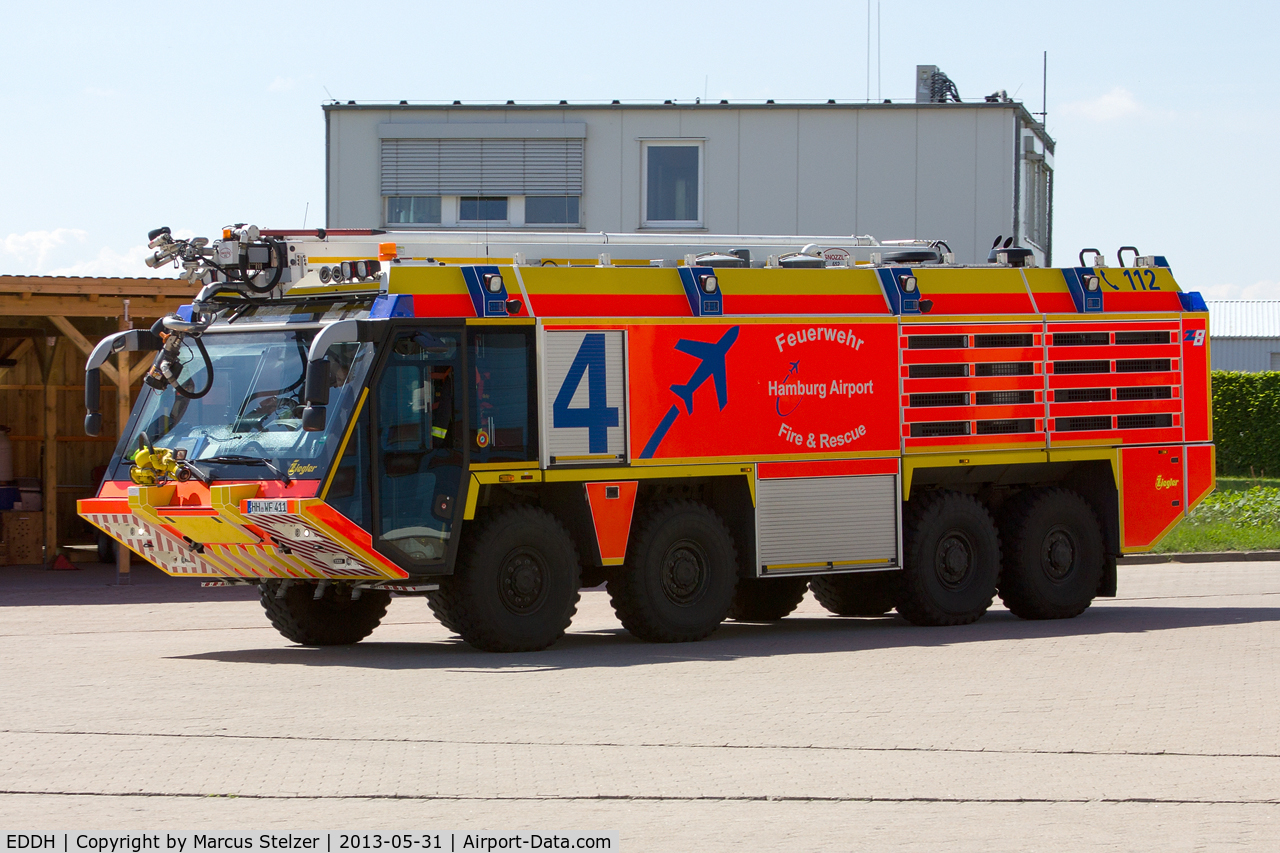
pixel 652 746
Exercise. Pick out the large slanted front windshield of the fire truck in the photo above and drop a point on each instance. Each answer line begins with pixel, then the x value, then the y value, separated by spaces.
pixel 254 407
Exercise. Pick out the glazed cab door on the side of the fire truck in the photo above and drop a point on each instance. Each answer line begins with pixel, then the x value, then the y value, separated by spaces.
pixel 418 422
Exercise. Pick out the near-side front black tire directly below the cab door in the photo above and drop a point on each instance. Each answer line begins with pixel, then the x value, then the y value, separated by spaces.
pixel 515 587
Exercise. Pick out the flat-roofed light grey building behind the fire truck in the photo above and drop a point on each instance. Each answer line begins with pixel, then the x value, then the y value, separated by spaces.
pixel 963 174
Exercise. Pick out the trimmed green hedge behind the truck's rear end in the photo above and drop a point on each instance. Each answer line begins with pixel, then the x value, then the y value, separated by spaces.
pixel 1247 423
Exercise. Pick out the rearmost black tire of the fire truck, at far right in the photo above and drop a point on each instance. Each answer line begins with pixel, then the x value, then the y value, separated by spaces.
pixel 1054 555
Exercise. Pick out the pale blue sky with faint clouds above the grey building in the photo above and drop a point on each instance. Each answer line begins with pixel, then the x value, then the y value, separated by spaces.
pixel 125 117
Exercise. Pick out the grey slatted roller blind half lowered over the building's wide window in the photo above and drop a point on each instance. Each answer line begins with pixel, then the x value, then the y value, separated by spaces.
pixel 482 167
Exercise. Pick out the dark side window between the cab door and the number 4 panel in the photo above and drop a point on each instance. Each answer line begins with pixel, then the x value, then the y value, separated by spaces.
pixel 502 395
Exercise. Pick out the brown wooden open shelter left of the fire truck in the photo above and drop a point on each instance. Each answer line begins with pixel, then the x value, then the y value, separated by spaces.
pixel 48 329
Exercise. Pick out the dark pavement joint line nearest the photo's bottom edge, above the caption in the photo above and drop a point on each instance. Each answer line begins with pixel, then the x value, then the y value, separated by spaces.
pixel 661 799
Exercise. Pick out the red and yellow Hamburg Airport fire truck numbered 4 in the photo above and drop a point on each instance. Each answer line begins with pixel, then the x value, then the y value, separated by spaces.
pixel 710 426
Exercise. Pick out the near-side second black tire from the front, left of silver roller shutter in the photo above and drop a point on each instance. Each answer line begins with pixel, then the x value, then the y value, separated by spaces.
pixel 680 576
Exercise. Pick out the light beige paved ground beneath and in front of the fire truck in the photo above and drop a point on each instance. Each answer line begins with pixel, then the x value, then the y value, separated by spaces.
pixel 1149 723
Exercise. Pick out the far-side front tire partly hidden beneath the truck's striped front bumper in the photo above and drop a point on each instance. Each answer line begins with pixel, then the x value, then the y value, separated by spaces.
pixel 335 621
